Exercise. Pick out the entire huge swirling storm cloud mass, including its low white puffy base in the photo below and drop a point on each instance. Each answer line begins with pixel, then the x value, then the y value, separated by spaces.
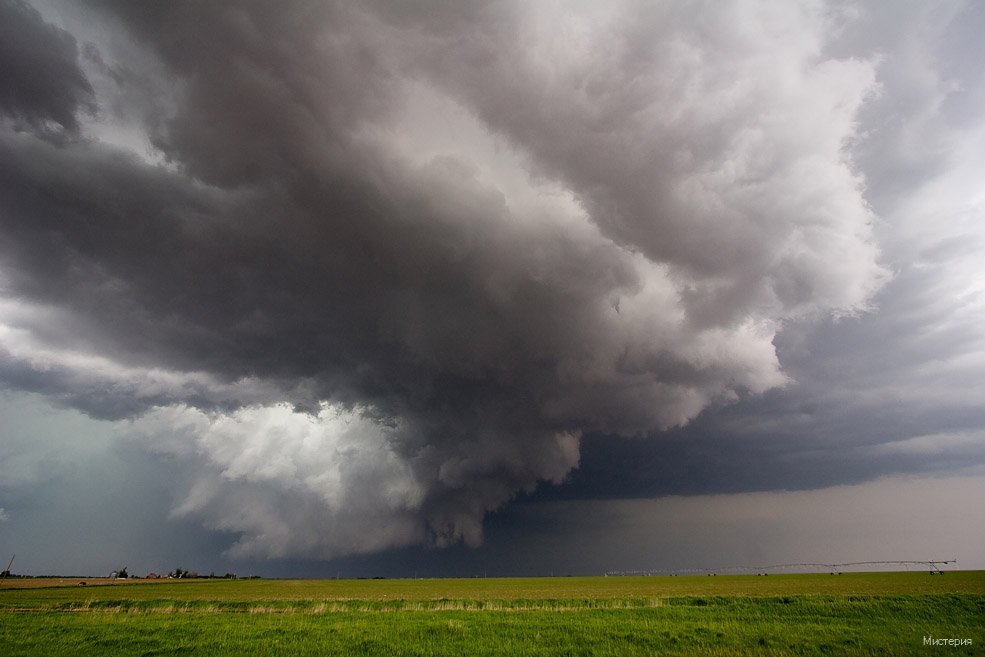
pixel 365 272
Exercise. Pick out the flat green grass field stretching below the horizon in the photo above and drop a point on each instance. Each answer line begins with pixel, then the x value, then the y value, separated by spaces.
pixel 850 614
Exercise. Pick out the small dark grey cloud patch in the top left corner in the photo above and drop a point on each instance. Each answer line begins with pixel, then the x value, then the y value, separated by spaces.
pixel 40 80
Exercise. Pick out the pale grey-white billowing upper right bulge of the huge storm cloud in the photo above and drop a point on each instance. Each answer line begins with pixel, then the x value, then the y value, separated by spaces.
pixel 712 139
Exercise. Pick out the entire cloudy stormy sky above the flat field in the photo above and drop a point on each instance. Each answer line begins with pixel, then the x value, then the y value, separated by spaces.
pixel 450 288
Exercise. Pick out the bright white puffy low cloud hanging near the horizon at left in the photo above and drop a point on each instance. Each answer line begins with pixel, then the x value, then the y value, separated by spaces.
pixel 290 482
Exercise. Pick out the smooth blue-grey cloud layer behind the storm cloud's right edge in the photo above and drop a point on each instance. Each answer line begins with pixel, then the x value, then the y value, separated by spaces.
pixel 895 390
